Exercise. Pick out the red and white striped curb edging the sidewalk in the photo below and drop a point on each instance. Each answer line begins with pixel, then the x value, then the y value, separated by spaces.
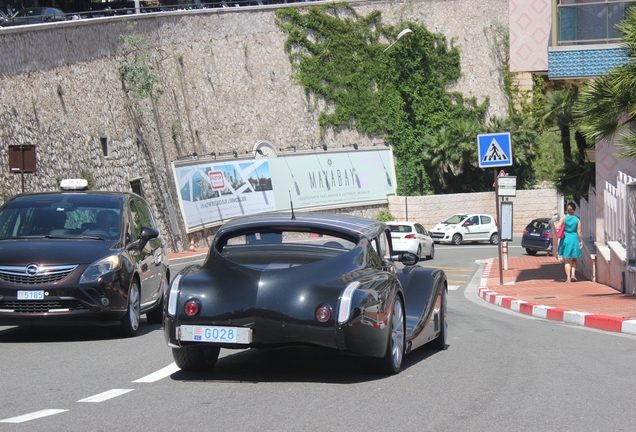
pixel 601 322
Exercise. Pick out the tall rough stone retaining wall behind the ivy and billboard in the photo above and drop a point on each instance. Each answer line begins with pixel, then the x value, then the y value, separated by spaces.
pixel 226 85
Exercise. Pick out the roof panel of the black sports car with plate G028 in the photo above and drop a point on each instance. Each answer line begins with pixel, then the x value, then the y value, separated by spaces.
pixel 351 225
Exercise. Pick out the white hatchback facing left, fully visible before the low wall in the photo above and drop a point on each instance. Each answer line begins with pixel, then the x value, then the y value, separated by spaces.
pixel 466 227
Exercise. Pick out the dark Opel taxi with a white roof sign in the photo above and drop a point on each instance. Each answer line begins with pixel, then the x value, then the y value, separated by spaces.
pixel 81 258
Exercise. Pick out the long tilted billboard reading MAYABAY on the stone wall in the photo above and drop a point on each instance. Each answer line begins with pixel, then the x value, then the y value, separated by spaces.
pixel 213 191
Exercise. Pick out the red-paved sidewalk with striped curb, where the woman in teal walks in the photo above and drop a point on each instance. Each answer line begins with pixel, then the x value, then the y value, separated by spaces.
pixel 535 285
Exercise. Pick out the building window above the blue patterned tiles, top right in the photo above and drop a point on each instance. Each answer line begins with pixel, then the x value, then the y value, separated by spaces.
pixel 587 22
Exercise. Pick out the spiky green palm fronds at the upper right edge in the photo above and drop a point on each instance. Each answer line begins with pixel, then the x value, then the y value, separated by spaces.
pixel 607 106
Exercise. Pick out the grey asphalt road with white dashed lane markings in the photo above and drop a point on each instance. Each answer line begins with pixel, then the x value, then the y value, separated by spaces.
pixel 502 371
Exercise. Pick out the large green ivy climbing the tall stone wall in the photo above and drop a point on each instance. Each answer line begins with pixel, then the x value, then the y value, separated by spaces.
pixel 400 93
